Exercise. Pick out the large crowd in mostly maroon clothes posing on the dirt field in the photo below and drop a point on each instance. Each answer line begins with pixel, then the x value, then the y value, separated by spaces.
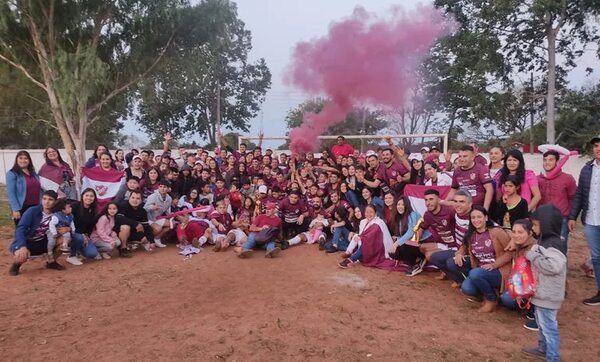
pixel 480 214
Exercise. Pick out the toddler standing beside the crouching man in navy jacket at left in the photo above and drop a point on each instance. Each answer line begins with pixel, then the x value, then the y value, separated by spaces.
pixel 61 218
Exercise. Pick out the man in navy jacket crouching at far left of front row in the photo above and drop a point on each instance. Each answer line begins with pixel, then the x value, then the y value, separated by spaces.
pixel 30 236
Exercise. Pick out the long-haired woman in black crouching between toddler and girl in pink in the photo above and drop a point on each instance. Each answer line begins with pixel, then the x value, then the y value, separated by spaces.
pixel 84 217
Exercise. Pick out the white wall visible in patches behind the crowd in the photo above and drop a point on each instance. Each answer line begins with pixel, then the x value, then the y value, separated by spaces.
pixel 533 162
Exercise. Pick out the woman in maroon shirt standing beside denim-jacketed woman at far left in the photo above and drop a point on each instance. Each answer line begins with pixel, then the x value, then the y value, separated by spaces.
pixel 56 175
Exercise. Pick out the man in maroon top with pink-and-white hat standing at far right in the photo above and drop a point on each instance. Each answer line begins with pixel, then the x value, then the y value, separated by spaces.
pixel 558 190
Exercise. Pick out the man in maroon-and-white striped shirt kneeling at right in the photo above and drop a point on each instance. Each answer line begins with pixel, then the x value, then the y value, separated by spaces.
pixel 445 259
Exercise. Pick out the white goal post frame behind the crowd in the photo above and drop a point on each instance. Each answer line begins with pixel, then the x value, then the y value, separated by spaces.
pixel 363 142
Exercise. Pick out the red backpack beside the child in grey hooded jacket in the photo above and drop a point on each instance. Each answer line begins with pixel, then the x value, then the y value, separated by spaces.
pixel 521 282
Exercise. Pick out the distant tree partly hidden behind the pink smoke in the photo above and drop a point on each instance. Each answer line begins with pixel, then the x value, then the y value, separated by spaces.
pixel 360 121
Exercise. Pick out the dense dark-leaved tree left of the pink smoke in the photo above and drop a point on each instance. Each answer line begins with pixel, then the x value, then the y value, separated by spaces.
pixel 182 97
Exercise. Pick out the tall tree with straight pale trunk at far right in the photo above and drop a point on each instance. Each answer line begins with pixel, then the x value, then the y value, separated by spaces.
pixel 533 33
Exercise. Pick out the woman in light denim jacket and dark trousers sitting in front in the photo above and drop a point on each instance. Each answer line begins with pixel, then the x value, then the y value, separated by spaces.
pixel 404 249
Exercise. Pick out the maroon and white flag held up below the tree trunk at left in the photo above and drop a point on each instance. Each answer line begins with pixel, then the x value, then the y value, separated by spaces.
pixel 106 184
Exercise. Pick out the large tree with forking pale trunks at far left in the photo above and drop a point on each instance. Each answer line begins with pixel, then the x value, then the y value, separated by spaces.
pixel 84 55
